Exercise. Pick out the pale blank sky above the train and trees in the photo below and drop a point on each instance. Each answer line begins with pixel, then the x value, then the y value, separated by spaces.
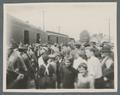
pixel 68 18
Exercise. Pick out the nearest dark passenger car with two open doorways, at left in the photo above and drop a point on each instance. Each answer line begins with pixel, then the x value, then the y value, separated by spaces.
pixel 20 31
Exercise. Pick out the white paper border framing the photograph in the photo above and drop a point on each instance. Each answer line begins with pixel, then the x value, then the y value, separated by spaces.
pixel 59 90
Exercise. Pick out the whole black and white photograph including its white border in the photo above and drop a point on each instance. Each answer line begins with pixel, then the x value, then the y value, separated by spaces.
pixel 60 47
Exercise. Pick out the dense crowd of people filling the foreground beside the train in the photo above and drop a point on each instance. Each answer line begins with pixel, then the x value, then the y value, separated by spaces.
pixel 60 66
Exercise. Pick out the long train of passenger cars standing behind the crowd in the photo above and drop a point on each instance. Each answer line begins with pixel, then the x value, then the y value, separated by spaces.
pixel 20 31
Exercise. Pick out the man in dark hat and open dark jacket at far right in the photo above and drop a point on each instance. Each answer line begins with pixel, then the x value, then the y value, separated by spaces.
pixel 107 66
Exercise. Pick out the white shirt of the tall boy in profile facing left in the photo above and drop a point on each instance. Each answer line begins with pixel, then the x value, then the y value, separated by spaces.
pixel 94 67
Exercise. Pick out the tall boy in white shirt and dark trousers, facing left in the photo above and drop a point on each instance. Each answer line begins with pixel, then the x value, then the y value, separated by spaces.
pixel 94 67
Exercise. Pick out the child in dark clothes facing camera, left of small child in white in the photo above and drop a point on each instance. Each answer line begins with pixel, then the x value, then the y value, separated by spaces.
pixel 68 74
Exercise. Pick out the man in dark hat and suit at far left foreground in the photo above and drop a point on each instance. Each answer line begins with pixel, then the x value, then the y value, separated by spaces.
pixel 16 70
